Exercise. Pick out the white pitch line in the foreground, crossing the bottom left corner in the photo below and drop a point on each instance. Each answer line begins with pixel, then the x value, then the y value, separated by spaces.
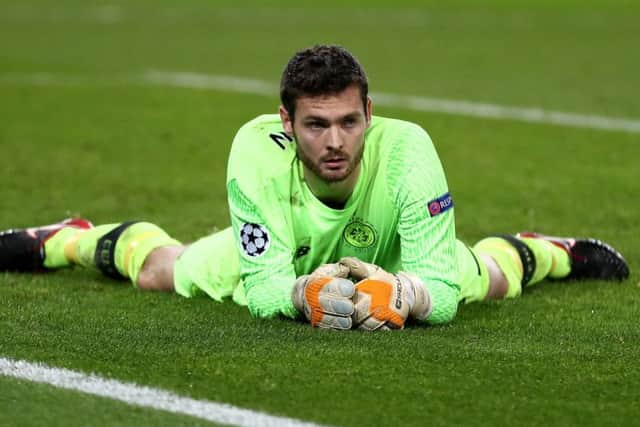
pixel 148 397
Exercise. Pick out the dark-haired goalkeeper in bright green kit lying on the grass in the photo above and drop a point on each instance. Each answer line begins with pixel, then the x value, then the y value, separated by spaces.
pixel 339 217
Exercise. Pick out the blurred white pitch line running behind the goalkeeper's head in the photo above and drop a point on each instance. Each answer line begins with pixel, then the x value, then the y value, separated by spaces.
pixel 416 103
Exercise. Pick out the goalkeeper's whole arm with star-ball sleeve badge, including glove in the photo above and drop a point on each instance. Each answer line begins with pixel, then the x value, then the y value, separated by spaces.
pixel 257 184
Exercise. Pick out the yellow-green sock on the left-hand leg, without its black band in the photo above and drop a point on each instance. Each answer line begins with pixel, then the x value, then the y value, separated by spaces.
pixel 73 246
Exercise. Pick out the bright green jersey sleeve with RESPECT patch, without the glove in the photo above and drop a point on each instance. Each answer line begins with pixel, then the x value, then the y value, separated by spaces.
pixel 426 225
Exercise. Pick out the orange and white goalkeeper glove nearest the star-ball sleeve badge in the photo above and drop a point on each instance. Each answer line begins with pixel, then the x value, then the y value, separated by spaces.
pixel 325 297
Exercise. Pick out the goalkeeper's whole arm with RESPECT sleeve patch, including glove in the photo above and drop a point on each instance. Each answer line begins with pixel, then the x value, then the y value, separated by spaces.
pixel 425 289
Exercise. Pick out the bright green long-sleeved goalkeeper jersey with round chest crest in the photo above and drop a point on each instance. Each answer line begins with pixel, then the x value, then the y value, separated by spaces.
pixel 399 216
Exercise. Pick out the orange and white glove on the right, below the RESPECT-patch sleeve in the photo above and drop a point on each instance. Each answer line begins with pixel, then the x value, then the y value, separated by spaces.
pixel 384 300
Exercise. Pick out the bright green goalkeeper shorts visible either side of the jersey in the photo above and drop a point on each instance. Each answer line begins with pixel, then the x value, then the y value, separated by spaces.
pixel 211 266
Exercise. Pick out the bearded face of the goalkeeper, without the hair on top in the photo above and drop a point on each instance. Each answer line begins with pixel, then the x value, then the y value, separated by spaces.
pixel 329 132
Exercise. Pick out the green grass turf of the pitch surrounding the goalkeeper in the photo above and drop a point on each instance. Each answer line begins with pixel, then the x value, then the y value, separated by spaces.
pixel 112 150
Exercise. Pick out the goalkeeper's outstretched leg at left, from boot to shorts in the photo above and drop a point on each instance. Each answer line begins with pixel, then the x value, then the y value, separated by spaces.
pixel 139 251
